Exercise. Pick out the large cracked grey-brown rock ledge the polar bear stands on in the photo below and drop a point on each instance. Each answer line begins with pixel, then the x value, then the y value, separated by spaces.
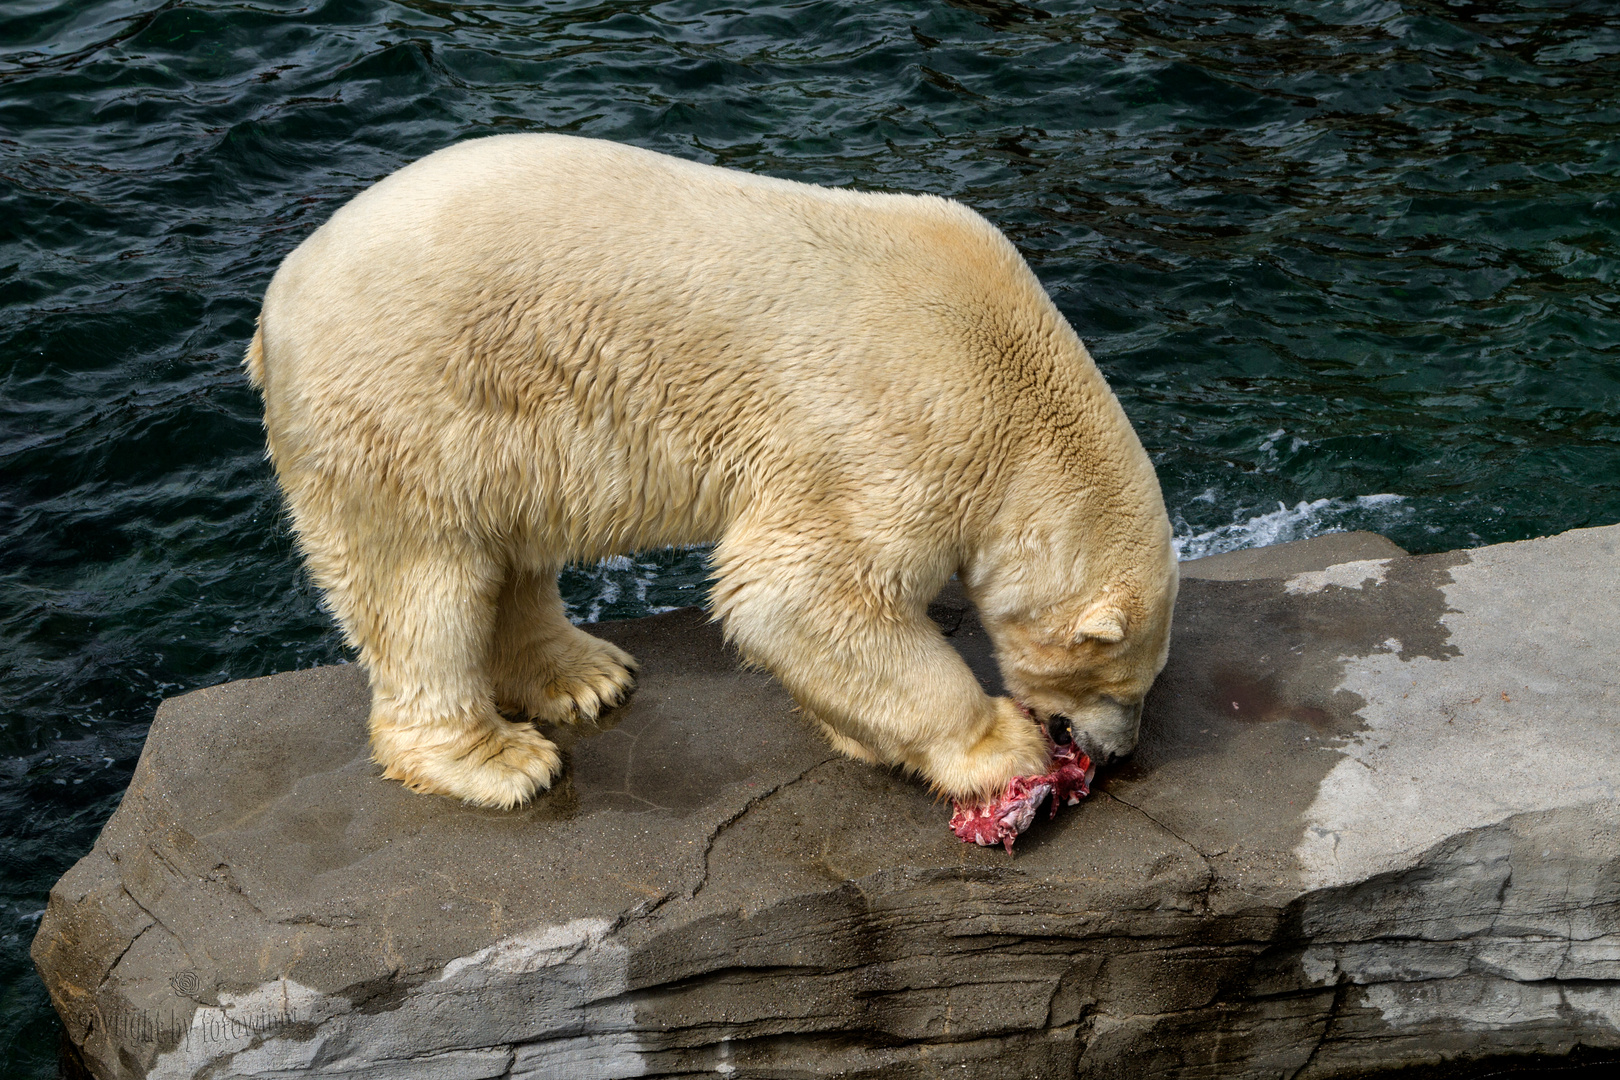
pixel 1371 825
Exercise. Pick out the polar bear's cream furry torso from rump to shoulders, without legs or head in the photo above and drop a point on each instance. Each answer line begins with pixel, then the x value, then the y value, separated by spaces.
pixel 521 325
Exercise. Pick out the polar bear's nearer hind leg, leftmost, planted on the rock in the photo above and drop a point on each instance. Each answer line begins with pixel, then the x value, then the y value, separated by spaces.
pixel 422 616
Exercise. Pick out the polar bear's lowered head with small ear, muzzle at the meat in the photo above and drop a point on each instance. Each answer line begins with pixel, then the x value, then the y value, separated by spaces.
pixel 1088 665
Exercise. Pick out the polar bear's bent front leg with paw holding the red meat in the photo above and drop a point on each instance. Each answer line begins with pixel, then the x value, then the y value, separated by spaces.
pixel 879 674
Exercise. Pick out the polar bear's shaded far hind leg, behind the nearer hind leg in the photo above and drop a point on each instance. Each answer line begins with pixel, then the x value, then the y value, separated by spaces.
pixel 544 666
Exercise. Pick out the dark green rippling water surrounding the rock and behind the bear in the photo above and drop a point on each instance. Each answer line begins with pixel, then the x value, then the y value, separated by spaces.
pixel 1349 265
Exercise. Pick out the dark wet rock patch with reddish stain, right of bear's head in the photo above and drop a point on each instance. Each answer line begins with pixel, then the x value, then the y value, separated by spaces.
pixel 1251 713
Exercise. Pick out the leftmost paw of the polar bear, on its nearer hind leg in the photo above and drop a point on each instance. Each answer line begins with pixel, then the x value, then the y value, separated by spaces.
pixel 495 765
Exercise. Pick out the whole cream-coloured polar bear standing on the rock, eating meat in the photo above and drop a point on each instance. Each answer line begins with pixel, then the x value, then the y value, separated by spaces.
pixel 535 349
